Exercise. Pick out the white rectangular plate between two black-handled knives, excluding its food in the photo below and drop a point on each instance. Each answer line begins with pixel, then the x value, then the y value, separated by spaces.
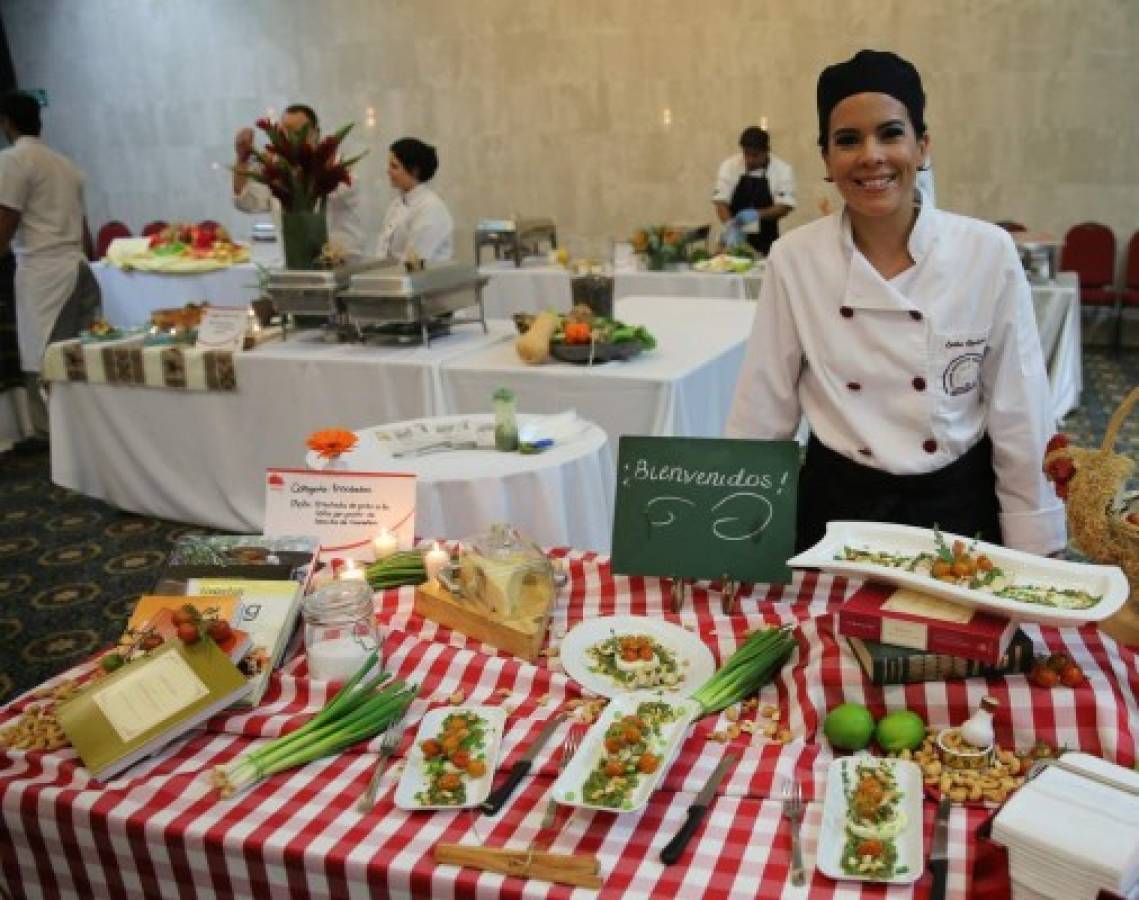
pixel 568 789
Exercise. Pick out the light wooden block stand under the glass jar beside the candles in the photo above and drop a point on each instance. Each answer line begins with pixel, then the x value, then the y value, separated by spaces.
pixel 522 636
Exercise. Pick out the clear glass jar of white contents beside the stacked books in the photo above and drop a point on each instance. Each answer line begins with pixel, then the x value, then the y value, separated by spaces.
pixel 340 629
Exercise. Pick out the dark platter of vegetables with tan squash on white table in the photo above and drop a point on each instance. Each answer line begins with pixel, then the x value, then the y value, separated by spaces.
pixel 580 338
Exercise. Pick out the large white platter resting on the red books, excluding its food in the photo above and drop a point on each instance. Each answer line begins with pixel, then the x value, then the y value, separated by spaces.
pixel 1021 568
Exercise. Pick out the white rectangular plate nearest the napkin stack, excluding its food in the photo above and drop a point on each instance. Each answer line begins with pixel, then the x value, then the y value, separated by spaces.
pixel 833 829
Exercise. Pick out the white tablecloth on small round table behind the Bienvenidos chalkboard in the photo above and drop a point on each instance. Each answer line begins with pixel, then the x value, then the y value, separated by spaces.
pixel 562 497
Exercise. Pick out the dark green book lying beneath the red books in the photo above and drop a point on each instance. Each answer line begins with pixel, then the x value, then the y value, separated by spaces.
pixel 887 665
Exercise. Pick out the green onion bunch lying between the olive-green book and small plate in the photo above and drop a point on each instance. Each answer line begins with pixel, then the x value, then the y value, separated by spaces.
pixel 358 713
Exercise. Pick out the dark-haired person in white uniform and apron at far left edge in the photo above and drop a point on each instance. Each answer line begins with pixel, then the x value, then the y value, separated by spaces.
pixel 43 220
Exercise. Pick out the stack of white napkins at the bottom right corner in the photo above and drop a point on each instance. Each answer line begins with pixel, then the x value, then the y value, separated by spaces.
pixel 1070 837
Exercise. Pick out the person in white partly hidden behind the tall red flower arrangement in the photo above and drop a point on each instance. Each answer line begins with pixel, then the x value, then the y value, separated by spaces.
pixel 346 227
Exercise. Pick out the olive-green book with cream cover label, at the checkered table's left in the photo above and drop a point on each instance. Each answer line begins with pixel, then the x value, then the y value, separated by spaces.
pixel 151 701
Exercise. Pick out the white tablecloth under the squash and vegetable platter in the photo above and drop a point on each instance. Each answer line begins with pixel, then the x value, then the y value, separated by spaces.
pixel 683 388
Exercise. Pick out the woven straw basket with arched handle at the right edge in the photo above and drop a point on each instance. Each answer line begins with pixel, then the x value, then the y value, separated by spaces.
pixel 1097 505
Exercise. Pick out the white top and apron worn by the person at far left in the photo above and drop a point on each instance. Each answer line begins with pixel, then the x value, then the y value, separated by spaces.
pixel 46 189
